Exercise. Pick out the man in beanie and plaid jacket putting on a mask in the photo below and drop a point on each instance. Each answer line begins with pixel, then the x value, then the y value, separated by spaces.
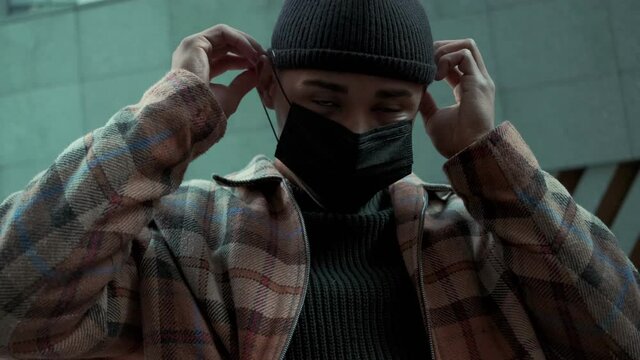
pixel 334 250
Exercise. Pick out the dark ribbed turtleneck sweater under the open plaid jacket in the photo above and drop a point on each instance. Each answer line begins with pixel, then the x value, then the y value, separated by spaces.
pixel 360 303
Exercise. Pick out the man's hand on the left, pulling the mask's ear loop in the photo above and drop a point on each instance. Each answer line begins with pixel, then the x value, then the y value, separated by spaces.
pixel 218 49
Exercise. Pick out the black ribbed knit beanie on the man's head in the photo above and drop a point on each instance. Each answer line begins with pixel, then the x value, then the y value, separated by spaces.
pixel 388 38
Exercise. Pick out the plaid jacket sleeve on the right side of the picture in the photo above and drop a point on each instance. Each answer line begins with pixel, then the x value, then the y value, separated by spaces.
pixel 582 291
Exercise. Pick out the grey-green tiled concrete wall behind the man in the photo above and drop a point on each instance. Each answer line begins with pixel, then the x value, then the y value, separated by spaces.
pixel 567 71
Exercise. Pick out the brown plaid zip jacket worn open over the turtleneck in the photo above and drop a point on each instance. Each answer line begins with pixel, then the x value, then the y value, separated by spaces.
pixel 105 251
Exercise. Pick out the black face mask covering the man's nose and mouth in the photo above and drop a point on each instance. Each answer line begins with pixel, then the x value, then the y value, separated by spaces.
pixel 344 169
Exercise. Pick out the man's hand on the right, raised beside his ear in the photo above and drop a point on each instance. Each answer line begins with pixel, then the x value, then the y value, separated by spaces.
pixel 455 127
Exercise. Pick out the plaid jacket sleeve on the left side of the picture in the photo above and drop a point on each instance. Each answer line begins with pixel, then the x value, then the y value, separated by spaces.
pixel 69 241
